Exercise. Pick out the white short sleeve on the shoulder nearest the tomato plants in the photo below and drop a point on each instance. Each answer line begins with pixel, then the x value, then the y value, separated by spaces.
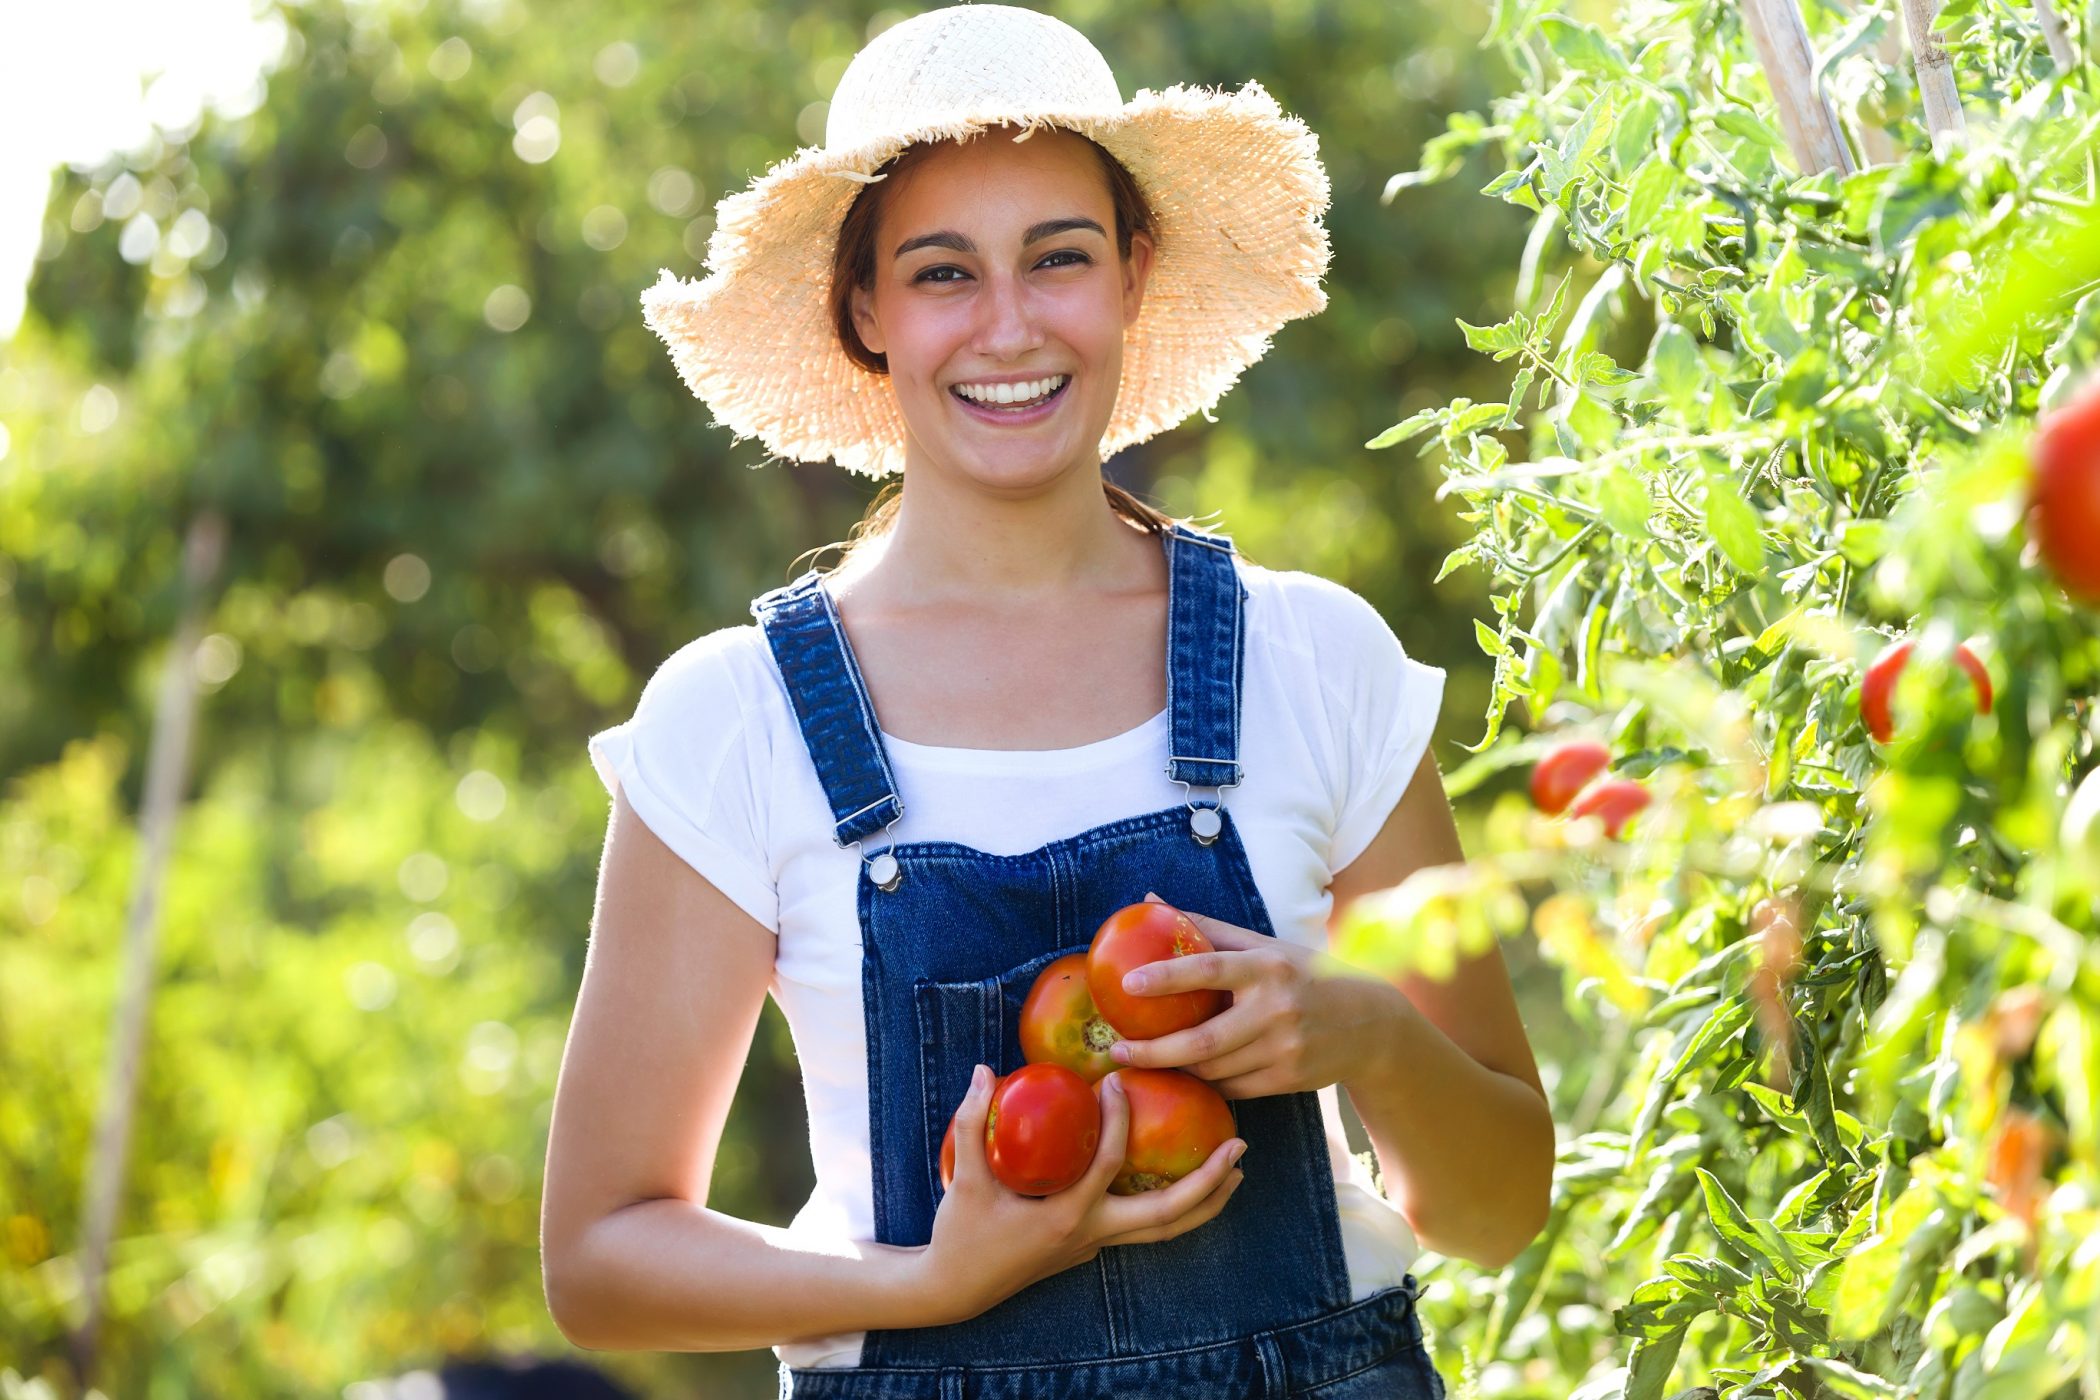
pixel 1383 706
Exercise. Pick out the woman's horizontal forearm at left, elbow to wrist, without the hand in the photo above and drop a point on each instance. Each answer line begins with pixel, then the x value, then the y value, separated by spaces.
pixel 677 1277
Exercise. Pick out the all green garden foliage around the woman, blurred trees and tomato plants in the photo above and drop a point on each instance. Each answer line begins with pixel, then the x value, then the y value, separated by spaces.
pixel 1765 419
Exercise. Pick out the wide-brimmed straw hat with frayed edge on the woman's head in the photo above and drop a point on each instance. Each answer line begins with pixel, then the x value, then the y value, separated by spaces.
pixel 1236 188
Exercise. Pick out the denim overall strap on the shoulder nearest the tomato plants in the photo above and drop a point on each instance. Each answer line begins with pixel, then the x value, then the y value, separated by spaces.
pixel 1206 645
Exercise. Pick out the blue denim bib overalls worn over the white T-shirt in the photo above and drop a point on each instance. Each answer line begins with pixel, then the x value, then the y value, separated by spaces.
pixel 1255 1302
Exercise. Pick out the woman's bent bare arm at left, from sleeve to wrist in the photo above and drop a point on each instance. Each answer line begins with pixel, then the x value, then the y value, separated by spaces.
pixel 631 1254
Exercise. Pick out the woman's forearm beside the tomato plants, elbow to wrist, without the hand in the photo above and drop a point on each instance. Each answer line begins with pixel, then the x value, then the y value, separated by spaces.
pixel 1469 1151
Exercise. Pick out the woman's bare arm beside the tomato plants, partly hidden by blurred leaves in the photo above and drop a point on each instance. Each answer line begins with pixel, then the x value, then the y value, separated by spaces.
pixel 1450 1095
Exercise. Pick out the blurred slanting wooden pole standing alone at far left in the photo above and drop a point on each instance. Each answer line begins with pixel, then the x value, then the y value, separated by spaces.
pixel 175 717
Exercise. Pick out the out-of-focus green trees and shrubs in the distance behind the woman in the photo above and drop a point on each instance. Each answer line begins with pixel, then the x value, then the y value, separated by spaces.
pixel 390 326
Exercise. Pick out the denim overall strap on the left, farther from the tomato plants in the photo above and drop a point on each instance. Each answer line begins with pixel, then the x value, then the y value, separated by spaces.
pixel 831 704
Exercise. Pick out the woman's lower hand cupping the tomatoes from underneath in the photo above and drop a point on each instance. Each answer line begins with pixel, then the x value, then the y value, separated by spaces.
pixel 990 1244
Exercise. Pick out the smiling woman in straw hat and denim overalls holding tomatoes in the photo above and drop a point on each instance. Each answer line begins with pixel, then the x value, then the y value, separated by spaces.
pixel 1020 704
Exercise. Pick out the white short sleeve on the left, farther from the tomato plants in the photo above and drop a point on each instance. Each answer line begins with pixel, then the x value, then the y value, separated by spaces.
pixel 694 765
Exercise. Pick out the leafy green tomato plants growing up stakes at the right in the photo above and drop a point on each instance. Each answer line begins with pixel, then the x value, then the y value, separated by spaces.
pixel 1843 1128
